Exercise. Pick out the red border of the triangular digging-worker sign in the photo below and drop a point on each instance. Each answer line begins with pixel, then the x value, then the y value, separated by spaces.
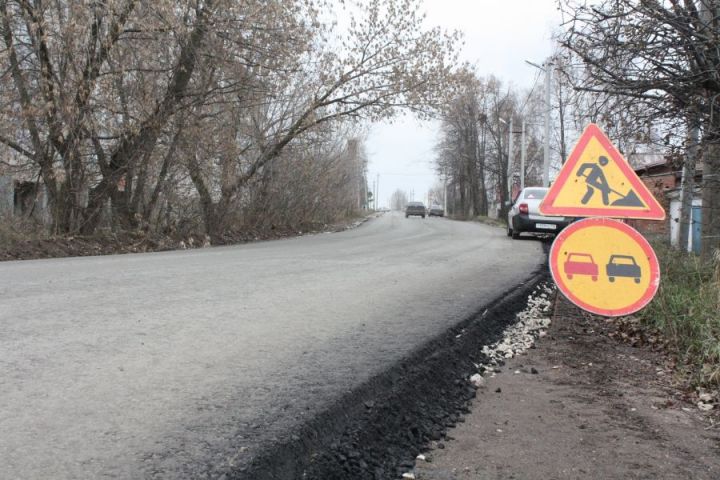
pixel 654 211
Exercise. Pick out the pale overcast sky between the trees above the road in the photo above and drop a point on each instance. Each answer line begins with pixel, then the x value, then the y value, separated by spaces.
pixel 499 36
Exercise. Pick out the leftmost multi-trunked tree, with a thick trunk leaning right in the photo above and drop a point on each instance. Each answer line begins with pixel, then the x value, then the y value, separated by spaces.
pixel 69 56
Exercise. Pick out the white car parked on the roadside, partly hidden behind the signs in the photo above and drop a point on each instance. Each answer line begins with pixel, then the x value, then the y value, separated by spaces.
pixel 525 216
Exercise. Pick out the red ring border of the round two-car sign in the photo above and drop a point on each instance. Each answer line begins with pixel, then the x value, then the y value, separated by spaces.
pixel 606 222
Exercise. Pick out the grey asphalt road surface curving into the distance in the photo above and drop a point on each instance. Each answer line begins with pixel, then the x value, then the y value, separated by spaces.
pixel 175 364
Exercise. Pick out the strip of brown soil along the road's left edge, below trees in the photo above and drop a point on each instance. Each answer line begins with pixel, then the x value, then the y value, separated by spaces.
pixel 15 247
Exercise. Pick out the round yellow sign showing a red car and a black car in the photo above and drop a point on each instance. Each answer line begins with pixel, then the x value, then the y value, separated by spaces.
pixel 604 266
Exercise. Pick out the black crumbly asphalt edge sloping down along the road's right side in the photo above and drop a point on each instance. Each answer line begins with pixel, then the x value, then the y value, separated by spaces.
pixel 376 430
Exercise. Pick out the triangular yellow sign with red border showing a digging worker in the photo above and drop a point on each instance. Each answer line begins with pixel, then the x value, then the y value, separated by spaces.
pixel 596 181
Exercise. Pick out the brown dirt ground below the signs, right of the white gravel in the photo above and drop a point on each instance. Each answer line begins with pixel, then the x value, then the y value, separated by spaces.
pixel 581 405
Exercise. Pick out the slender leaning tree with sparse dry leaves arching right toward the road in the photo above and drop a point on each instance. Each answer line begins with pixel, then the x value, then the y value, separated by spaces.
pixel 389 62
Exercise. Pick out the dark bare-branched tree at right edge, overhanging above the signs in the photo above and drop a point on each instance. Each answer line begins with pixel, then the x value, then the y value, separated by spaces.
pixel 662 55
